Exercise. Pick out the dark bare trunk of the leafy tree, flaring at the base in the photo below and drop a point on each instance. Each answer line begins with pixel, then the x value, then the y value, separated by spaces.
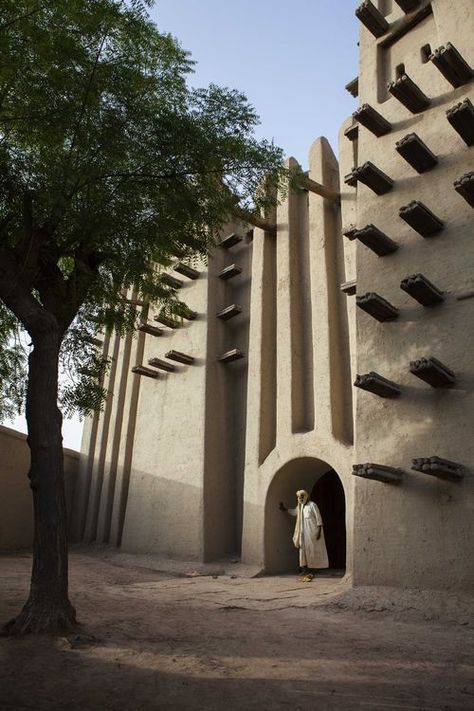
pixel 48 608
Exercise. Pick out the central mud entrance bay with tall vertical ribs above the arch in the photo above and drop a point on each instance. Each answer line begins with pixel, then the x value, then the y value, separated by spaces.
pixel 299 421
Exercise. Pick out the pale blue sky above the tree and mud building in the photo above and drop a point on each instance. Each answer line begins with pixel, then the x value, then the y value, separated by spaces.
pixel 291 59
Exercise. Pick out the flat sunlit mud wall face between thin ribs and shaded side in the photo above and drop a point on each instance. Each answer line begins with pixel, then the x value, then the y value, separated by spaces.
pixel 165 499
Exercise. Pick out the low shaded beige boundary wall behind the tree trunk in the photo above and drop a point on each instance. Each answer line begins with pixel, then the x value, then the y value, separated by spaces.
pixel 16 504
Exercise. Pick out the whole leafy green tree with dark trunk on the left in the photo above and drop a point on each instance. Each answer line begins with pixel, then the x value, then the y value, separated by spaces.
pixel 109 164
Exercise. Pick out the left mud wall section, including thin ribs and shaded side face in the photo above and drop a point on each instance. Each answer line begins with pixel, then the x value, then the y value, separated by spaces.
pixel 173 446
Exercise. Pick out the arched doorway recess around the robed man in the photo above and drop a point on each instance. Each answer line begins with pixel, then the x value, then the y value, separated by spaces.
pixel 325 487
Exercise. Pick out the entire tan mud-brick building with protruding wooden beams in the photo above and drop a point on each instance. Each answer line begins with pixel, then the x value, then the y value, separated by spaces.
pixel 329 347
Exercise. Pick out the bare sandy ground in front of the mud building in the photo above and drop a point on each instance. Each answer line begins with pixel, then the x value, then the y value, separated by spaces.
pixel 186 639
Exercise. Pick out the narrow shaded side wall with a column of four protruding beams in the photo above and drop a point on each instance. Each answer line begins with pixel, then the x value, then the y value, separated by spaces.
pixel 226 397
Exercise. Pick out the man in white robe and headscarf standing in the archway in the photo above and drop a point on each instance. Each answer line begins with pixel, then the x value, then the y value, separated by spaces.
pixel 309 535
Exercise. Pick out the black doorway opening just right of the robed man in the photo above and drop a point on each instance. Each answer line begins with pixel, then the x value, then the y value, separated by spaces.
pixel 328 493
